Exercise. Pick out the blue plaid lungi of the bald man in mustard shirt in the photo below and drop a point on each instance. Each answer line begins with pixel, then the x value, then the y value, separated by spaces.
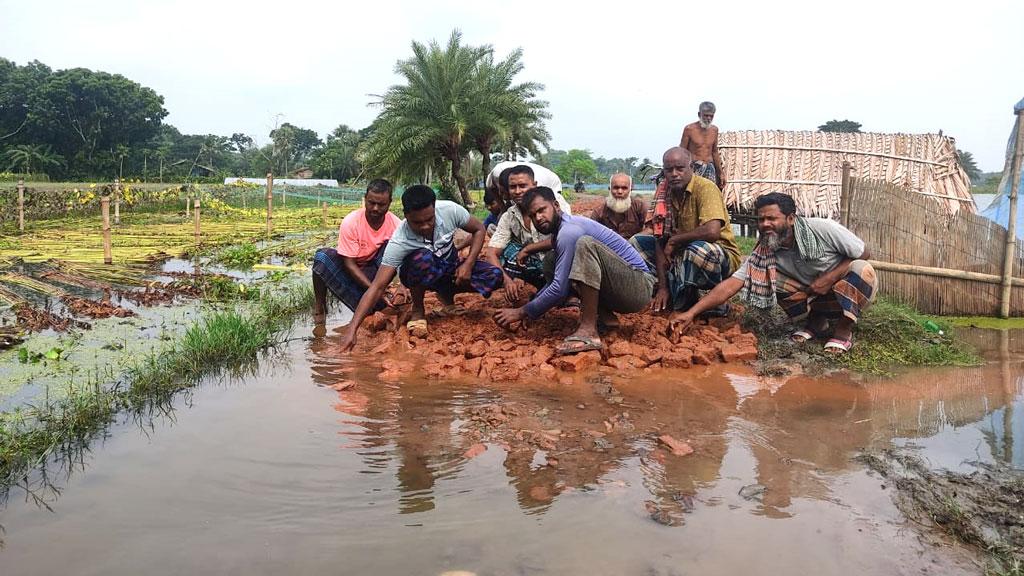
pixel 702 266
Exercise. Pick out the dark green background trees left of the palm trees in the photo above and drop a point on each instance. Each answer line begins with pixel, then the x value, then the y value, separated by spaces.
pixel 81 125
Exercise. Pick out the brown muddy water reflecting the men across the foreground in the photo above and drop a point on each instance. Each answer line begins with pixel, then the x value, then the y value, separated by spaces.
pixel 282 474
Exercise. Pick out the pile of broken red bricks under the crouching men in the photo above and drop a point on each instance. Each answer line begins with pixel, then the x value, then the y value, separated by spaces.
pixel 471 345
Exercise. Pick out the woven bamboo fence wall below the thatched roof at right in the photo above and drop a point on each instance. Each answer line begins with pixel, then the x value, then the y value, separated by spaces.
pixel 911 229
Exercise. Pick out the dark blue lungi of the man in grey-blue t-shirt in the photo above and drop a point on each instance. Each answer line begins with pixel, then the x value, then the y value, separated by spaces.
pixel 423 268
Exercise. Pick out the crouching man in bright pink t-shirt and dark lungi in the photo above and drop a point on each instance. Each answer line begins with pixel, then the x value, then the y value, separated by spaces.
pixel 349 271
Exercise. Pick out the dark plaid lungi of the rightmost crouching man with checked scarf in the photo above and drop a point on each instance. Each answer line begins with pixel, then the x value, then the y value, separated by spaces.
pixel 849 298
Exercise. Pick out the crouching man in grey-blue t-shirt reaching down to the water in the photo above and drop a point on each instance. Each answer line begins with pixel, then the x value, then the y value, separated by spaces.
pixel 422 254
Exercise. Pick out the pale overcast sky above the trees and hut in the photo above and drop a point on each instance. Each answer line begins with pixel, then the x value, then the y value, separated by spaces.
pixel 622 79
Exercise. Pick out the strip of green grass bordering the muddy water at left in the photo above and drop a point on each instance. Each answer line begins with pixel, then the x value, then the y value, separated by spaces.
pixel 31 435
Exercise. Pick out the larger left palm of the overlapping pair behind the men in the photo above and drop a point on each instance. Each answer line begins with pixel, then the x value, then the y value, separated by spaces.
pixel 431 116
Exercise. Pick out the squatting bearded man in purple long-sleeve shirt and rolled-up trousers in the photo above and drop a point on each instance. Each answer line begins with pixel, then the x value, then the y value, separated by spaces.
pixel 608 274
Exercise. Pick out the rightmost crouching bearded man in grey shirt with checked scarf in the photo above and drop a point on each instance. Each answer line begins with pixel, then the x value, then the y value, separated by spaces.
pixel 816 269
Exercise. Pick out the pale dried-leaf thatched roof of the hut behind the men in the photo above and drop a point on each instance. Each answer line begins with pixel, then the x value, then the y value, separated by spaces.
pixel 809 167
